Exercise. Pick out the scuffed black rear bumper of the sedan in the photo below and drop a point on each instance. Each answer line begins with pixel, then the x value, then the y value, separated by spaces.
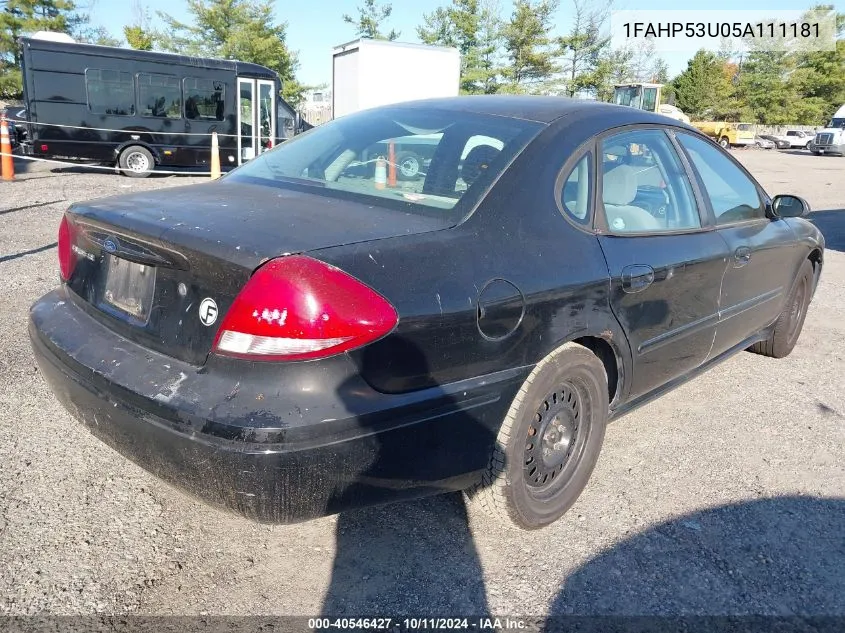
pixel 277 444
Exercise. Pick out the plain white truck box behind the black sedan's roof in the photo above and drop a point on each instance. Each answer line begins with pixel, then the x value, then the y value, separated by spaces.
pixel 368 73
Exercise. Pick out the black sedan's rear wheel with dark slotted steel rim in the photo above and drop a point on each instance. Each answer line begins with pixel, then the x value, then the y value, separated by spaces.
pixel 569 386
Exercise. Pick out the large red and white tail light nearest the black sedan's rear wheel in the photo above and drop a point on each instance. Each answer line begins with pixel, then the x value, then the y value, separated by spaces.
pixel 298 308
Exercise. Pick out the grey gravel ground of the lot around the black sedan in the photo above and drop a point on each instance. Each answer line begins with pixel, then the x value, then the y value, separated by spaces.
pixel 724 497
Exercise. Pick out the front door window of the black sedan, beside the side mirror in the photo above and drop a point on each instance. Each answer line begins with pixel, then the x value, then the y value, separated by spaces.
pixel 732 194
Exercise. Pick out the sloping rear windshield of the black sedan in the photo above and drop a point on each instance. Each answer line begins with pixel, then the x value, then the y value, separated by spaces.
pixel 429 161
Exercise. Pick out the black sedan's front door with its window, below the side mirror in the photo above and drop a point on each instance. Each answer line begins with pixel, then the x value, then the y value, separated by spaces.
pixel 763 251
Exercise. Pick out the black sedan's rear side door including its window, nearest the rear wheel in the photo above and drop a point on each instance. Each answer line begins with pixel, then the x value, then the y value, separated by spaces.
pixel 665 262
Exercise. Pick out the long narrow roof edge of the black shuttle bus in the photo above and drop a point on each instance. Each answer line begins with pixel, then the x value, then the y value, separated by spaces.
pixel 245 68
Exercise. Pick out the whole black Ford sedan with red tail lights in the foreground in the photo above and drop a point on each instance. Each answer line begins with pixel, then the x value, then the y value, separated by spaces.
pixel 302 336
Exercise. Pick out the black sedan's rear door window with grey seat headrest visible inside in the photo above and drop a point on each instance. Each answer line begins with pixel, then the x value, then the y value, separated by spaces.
pixel 644 186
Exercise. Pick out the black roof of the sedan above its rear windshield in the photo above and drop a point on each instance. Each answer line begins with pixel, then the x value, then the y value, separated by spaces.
pixel 543 109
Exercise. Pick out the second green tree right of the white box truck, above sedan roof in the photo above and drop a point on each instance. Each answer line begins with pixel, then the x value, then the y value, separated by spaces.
pixel 529 45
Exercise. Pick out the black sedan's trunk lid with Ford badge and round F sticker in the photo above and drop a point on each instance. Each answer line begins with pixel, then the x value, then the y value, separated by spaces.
pixel 163 267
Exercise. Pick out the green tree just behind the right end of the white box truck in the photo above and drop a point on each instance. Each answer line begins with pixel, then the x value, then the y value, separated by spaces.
pixel 473 27
